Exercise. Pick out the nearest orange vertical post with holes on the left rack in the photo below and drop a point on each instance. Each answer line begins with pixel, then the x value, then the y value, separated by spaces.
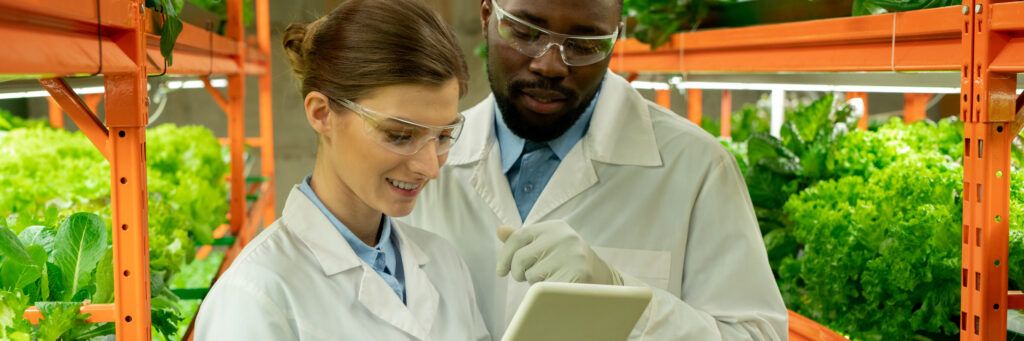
pixel 127 117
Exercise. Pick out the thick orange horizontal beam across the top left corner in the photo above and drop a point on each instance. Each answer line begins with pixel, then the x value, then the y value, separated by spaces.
pixel 59 38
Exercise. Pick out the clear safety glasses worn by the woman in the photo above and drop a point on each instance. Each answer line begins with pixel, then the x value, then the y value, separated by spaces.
pixel 403 137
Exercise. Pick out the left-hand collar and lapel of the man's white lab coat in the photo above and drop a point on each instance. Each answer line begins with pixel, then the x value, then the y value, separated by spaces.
pixel 479 150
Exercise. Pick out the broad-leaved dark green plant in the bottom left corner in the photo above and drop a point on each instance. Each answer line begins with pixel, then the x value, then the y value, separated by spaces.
pixel 57 273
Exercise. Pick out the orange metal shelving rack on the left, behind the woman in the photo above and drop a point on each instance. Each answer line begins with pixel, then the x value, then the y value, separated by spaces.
pixel 115 39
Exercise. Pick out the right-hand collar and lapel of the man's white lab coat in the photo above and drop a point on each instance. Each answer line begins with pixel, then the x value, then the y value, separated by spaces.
pixel 620 134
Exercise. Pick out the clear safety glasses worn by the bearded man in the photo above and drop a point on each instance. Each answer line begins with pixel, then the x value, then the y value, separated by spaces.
pixel 535 41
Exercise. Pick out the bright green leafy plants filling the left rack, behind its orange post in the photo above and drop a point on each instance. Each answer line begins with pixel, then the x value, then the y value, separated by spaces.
pixel 52 253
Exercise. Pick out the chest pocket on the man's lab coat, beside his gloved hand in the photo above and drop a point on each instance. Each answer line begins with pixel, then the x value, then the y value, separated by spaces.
pixel 653 268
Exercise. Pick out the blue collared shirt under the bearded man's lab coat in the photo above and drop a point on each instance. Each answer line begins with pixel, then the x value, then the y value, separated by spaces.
pixel 529 165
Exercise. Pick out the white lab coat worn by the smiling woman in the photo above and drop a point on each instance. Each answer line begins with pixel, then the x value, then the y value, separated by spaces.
pixel 300 280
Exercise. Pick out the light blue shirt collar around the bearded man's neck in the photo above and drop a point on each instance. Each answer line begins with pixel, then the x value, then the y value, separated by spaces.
pixel 511 146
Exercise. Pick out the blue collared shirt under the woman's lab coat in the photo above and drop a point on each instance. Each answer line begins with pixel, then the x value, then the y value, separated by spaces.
pixel 385 259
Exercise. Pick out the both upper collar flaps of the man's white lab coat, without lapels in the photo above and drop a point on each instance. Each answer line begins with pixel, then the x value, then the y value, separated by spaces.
pixel 621 132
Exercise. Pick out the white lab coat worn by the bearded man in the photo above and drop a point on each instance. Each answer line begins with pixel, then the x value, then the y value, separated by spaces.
pixel 654 195
